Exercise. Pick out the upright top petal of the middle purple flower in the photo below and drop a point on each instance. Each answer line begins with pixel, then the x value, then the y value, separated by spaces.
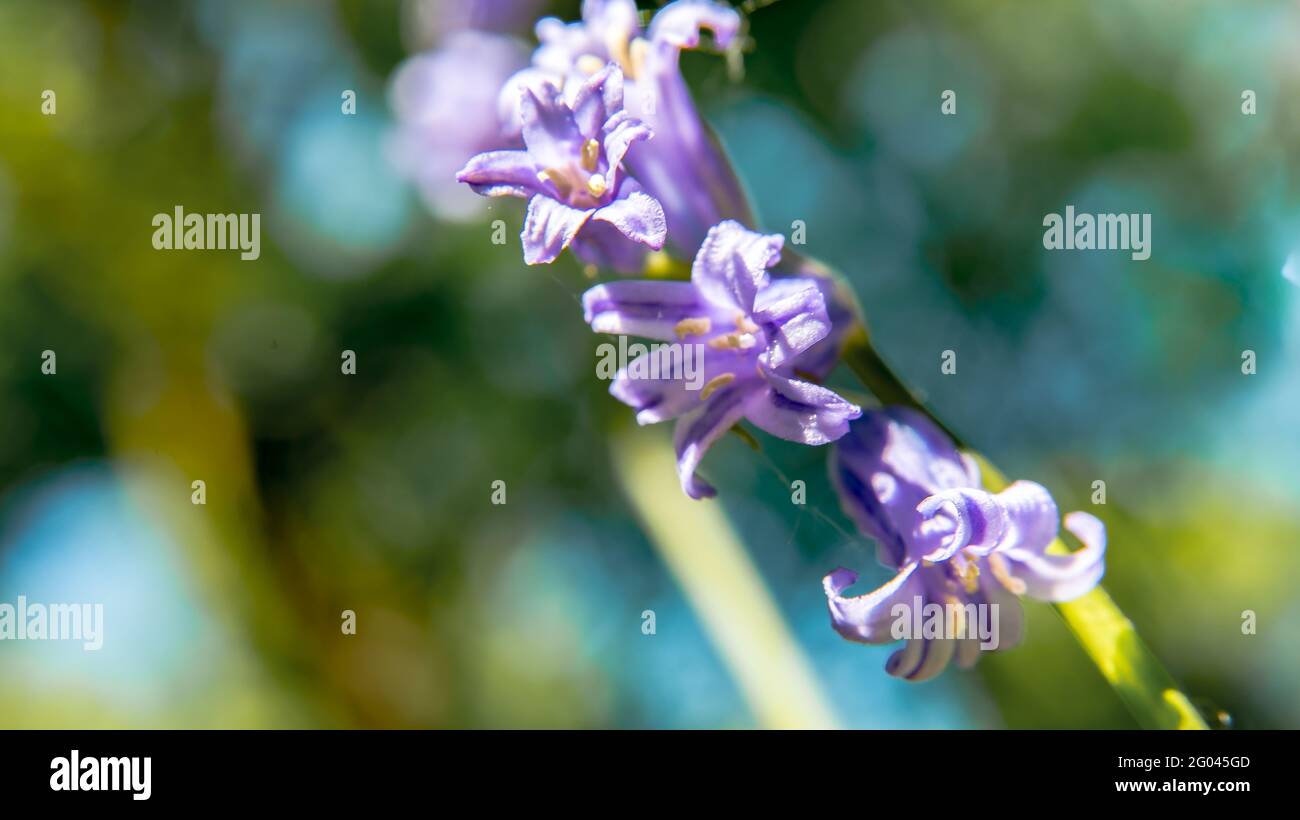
pixel 733 266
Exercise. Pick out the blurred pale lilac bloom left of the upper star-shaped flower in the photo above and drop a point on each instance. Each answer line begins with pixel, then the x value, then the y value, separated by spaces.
pixel 447 110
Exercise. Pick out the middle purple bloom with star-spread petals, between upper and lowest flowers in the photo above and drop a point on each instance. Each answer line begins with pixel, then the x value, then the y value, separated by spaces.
pixel 747 331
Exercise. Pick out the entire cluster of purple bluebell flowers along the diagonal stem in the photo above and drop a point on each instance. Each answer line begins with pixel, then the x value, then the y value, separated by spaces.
pixel 600 135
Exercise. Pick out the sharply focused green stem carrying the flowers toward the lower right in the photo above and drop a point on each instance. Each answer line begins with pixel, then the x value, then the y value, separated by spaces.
pixel 1102 628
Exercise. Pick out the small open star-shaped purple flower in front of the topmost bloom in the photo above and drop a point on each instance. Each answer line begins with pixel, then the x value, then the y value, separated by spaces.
pixel 571 172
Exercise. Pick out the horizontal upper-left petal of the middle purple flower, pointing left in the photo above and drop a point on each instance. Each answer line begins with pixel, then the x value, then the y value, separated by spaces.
pixel 643 309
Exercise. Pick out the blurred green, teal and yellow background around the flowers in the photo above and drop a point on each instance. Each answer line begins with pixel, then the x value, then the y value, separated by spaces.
pixel 372 492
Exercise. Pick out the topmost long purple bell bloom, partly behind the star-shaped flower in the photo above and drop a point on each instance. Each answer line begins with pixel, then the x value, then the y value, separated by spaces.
pixel 684 168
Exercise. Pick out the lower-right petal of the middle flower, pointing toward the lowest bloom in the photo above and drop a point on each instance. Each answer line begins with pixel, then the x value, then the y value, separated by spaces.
pixel 800 411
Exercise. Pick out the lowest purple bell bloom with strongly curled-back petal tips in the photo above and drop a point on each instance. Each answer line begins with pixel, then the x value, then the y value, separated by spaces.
pixel 952 544
